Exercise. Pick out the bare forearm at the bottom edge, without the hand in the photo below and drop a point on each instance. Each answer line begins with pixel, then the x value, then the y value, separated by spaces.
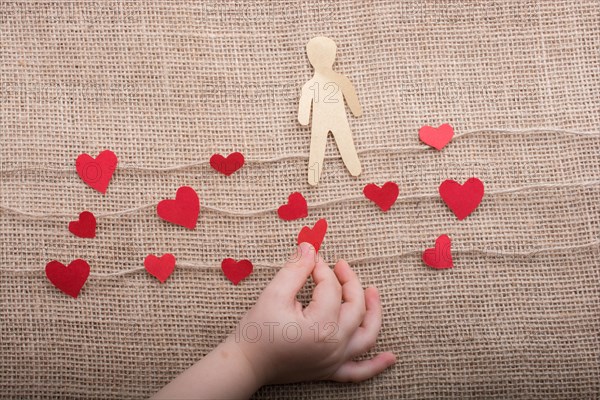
pixel 224 373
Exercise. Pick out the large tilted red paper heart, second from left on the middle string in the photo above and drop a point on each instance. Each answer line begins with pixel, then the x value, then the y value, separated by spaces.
pixel 183 210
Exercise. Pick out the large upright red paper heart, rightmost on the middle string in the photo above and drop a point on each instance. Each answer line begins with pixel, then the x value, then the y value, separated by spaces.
pixel 462 199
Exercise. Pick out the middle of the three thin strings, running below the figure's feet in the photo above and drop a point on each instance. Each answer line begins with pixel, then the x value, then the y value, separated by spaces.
pixel 311 206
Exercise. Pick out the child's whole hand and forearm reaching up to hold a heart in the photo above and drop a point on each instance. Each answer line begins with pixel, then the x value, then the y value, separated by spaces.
pixel 278 341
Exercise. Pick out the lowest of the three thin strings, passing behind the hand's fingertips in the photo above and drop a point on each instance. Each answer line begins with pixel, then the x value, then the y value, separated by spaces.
pixel 362 260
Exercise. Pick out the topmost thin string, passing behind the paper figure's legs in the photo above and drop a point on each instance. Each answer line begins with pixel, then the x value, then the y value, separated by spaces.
pixel 331 157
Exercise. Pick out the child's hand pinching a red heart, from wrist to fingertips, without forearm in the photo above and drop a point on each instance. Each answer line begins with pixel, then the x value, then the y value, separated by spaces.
pixel 285 343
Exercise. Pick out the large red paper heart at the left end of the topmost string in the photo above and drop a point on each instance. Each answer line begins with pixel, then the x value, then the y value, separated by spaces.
pixel 97 172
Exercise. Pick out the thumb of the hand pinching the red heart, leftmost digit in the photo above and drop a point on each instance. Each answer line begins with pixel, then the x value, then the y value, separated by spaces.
pixel 293 275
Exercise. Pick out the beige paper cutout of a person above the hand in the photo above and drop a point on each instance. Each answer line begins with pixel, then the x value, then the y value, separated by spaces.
pixel 325 92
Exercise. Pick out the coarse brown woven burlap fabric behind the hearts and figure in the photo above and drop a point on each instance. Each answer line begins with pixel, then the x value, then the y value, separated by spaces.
pixel 165 84
